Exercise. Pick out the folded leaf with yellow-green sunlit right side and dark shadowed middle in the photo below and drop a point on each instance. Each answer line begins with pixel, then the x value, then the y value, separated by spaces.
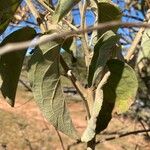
pixel 117 95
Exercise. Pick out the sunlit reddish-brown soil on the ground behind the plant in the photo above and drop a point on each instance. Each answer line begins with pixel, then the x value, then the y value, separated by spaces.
pixel 30 131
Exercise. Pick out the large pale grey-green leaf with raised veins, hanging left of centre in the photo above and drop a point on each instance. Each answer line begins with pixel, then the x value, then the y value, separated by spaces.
pixel 44 75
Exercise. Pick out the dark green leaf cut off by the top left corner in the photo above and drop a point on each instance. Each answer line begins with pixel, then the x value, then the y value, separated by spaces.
pixel 7 10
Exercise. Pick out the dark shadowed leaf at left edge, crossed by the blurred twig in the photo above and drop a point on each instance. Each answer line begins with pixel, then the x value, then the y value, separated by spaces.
pixel 11 63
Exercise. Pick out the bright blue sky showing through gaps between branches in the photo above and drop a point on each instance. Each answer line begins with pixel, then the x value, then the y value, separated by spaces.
pixel 89 20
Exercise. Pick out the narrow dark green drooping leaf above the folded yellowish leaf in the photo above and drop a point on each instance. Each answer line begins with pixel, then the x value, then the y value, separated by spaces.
pixel 102 51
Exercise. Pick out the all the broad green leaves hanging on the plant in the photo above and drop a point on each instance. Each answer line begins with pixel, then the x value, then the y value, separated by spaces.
pixel 45 76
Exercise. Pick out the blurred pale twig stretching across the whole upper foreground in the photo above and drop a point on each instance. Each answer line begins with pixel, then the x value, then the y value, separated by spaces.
pixel 44 39
